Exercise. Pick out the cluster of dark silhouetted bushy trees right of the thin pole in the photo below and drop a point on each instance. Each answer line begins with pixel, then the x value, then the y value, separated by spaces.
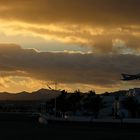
pixel 74 102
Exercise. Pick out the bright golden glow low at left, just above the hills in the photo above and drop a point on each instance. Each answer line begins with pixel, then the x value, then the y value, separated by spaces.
pixel 15 84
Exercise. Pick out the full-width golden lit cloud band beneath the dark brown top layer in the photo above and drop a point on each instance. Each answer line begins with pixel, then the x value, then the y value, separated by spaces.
pixel 100 39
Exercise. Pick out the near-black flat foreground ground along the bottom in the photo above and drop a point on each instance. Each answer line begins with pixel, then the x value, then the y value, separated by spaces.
pixel 31 129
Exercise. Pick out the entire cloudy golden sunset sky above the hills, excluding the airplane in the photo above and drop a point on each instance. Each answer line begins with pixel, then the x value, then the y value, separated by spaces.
pixel 80 44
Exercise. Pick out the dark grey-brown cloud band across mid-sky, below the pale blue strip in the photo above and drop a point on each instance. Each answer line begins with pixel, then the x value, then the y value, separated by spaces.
pixel 101 70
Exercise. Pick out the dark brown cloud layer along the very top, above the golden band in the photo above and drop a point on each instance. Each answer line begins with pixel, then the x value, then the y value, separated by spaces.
pixel 99 12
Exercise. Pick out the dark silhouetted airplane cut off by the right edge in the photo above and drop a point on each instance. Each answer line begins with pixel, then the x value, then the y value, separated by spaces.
pixel 128 77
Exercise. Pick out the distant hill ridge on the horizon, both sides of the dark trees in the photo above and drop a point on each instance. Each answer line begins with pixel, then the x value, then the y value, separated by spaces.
pixel 45 94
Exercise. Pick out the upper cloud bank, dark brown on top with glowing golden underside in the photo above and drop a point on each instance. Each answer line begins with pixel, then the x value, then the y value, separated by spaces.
pixel 106 26
